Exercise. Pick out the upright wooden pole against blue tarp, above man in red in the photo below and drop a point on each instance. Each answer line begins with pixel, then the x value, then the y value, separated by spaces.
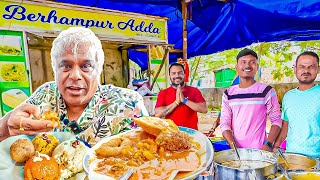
pixel 185 32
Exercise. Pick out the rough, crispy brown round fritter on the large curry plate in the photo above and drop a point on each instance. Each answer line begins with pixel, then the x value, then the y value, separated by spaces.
pixel 174 141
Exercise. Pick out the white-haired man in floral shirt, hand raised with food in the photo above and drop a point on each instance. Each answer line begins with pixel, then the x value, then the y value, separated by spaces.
pixel 86 108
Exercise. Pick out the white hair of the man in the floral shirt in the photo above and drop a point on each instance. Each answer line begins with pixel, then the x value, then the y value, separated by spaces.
pixel 73 38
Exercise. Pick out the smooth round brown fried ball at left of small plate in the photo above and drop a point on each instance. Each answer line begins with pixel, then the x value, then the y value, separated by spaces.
pixel 21 150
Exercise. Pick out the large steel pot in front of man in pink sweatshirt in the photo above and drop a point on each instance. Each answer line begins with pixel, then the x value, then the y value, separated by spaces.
pixel 223 172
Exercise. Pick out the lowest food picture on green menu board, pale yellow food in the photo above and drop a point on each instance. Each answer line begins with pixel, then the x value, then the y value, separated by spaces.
pixel 13 97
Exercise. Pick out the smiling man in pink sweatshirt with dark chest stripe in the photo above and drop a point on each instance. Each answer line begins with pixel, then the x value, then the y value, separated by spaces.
pixel 245 108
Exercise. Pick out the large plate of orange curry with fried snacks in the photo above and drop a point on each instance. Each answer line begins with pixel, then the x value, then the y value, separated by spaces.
pixel 157 150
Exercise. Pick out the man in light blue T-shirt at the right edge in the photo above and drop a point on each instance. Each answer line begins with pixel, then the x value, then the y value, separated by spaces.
pixel 301 109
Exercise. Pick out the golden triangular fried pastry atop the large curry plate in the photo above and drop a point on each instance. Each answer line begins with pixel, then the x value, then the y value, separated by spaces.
pixel 155 125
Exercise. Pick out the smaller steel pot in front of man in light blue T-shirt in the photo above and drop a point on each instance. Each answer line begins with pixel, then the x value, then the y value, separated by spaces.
pixel 298 162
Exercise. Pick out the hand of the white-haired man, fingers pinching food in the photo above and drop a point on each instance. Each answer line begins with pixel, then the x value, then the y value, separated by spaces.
pixel 23 121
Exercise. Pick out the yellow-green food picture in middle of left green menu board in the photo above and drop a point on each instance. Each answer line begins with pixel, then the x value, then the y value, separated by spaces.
pixel 13 72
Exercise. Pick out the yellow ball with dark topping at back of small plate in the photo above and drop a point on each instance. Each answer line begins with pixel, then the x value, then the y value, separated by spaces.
pixel 45 143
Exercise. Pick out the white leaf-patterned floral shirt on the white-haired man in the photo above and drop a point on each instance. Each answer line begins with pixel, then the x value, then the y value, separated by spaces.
pixel 109 112
